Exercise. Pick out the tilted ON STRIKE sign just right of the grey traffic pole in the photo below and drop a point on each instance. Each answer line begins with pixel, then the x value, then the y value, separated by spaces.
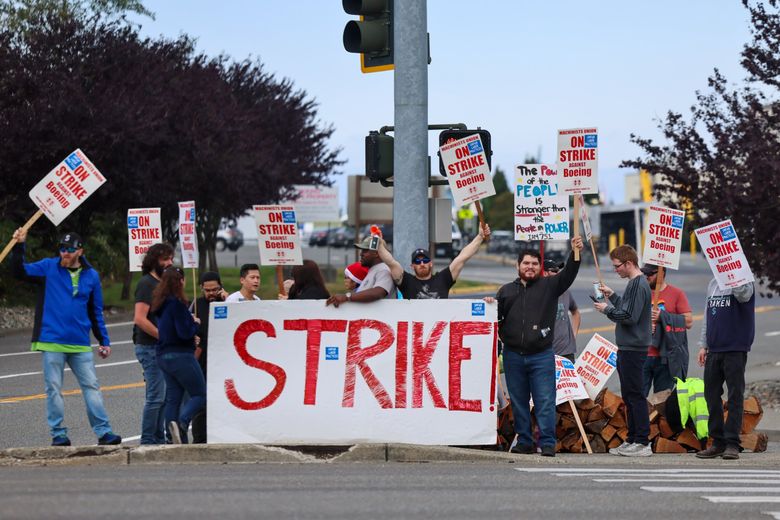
pixel 467 170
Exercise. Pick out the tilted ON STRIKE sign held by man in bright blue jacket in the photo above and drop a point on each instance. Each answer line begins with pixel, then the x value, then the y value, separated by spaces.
pixel 68 185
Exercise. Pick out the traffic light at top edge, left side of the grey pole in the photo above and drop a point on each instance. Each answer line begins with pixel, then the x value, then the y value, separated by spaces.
pixel 372 36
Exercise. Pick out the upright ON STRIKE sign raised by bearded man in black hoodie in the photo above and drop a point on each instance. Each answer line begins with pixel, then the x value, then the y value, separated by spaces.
pixel 578 160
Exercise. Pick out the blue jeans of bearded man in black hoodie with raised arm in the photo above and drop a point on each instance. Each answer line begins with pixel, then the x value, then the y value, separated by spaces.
pixel 527 376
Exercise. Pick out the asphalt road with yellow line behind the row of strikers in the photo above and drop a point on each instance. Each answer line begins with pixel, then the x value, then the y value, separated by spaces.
pixel 22 405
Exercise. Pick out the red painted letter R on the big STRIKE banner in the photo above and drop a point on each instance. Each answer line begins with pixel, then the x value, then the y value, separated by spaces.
pixel 356 357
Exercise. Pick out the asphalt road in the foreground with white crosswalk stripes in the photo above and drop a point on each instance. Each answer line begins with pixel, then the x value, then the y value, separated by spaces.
pixel 447 491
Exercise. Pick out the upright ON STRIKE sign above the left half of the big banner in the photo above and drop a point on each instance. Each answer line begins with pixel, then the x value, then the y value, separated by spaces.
pixel 277 235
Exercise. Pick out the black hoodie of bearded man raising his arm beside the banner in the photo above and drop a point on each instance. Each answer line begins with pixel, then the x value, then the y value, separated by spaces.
pixel 526 313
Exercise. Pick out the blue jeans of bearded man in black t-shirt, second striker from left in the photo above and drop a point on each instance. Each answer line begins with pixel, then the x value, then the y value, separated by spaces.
pixel 152 425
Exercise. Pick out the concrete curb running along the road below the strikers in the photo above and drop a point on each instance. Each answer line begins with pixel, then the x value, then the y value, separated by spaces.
pixel 359 453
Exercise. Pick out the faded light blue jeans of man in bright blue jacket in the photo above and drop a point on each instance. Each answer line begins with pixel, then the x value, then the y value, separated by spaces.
pixel 83 367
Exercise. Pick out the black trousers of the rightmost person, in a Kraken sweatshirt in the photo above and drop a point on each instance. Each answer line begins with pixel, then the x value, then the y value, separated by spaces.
pixel 729 368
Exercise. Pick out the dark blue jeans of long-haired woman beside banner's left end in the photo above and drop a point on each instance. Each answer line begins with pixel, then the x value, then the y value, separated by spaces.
pixel 182 374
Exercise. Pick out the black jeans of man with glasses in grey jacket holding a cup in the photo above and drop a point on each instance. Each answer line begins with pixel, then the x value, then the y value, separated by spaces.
pixel 630 371
